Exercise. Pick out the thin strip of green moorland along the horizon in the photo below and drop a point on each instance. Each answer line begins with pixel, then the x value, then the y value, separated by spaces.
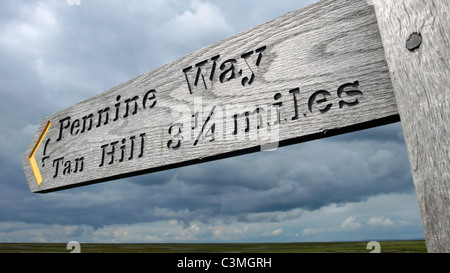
pixel 331 247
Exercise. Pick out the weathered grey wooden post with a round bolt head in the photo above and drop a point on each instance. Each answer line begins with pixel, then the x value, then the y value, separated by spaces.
pixel 416 39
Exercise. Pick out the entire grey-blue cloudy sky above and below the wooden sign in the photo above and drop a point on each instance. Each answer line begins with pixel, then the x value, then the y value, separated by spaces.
pixel 356 186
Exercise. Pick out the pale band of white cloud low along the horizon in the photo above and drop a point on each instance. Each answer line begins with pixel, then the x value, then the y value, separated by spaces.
pixel 320 225
